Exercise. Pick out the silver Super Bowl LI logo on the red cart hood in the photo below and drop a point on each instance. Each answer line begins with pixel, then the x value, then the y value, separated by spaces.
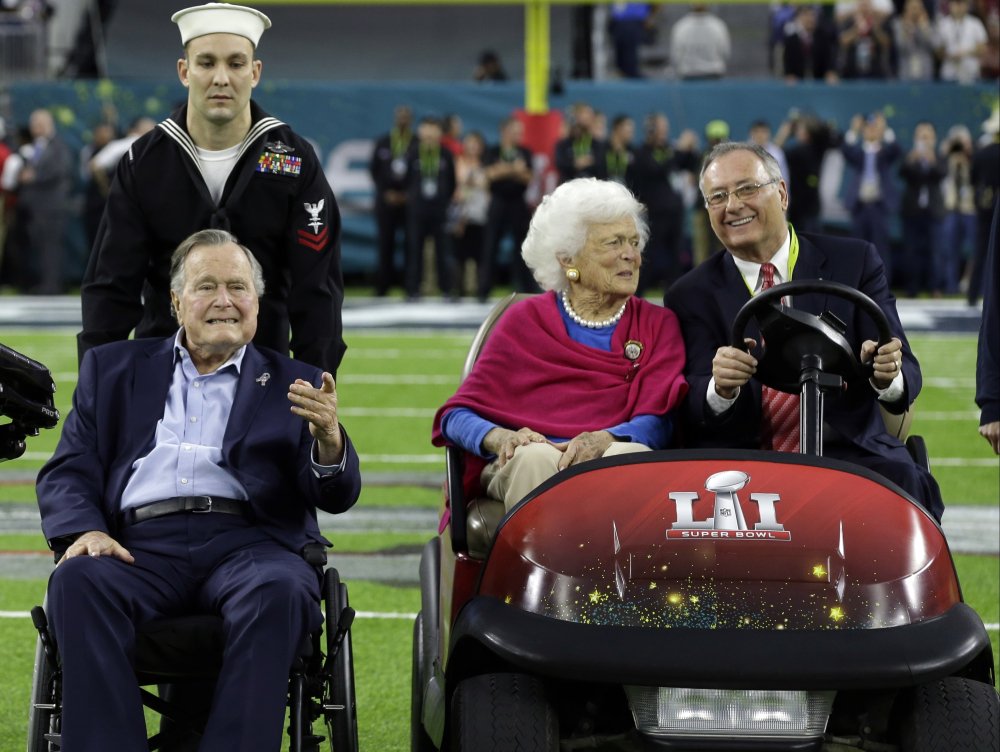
pixel 727 522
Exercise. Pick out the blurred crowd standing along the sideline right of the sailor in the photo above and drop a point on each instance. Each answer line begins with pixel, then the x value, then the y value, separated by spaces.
pixel 936 192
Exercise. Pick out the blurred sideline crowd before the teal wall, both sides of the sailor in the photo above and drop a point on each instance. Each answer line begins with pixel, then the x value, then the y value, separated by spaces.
pixel 460 201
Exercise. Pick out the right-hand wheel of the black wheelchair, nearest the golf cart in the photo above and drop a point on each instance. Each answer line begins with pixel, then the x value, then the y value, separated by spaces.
pixel 340 709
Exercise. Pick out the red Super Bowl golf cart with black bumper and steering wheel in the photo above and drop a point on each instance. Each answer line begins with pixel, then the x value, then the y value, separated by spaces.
pixel 704 599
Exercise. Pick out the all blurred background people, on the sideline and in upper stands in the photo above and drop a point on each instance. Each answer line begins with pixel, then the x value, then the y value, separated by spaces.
pixel 451 207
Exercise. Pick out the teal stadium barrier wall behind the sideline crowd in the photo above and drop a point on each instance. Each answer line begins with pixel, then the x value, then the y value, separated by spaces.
pixel 343 119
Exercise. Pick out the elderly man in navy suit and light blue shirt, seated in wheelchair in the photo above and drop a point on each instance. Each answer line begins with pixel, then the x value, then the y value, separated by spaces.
pixel 187 479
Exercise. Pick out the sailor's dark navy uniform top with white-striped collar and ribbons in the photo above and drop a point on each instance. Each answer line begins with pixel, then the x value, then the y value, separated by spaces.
pixel 277 202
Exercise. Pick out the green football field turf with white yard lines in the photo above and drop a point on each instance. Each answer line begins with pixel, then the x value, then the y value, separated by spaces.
pixel 390 384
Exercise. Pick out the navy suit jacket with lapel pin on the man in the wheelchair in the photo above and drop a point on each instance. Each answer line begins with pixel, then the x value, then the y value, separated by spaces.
pixel 119 398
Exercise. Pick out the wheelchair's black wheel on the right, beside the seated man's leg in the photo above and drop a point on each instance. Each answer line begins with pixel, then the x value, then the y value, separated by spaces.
pixel 342 724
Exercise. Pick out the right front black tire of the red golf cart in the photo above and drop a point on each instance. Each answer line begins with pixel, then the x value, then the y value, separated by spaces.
pixel 951 715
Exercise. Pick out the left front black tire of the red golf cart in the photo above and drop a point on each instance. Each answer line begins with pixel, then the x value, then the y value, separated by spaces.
pixel 501 712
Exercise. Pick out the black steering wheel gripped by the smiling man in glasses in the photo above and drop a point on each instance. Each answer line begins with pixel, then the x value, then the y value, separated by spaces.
pixel 789 334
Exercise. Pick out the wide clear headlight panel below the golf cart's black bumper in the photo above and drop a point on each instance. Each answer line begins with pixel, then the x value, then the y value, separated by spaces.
pixel 677 711
